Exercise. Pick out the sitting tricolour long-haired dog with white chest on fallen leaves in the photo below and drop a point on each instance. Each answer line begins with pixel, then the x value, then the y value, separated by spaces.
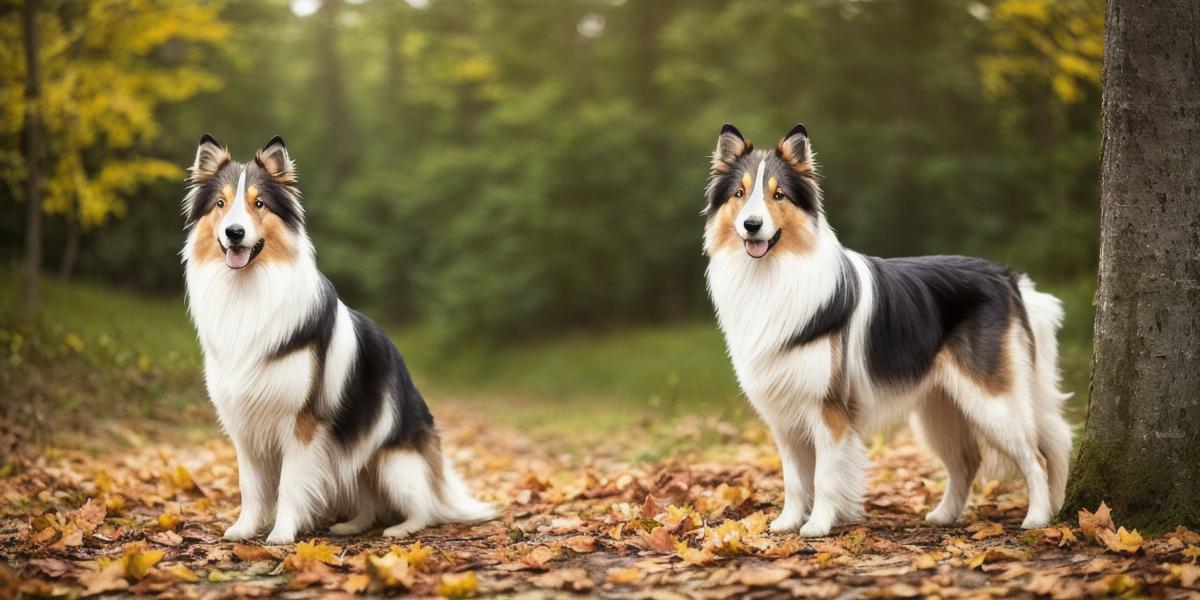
pixel 323 415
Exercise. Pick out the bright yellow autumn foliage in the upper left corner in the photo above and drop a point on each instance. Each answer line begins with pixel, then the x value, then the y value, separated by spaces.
pixel 105 71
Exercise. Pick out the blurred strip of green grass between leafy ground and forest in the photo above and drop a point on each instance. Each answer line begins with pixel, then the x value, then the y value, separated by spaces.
pixel 581 381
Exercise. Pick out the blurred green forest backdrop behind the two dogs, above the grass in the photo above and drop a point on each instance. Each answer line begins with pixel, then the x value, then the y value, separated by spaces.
pixel 502 170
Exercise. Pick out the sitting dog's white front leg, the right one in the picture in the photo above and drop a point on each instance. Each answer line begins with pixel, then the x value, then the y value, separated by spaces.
pixel 303 488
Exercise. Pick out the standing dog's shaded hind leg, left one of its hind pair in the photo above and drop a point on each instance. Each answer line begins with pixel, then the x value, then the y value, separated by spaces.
pixel 947 433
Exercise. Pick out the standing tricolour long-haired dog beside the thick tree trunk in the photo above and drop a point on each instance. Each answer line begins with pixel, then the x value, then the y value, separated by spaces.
pixel 829 344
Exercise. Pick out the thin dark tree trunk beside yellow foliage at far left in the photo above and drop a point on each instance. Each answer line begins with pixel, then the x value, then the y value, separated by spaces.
pixel 33 151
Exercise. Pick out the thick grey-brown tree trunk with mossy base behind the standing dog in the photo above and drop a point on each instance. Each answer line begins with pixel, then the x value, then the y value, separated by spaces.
pixel 1142 445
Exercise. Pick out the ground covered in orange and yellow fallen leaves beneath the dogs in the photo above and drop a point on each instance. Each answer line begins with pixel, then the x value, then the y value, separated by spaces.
pixel 590 515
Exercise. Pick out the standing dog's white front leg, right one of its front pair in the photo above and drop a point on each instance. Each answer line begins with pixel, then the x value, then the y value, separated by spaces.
pixel 839 479
